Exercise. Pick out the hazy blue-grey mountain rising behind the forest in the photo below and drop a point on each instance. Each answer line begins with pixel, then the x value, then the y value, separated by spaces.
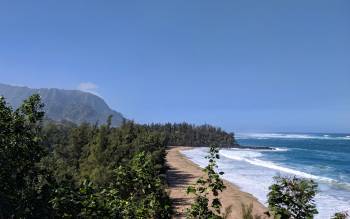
pixel 64 105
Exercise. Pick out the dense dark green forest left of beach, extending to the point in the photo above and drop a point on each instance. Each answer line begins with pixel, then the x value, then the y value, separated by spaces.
pixel 55 170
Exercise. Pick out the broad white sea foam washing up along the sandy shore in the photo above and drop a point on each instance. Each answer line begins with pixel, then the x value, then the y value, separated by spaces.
pixel 248 170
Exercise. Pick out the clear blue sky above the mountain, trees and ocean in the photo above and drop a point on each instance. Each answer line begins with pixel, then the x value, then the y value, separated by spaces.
pixel 242 65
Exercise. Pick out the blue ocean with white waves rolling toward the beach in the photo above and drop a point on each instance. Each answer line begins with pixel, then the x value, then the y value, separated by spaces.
pixel 324 158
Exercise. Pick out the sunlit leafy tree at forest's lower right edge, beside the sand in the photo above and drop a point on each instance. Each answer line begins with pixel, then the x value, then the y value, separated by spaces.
pixel 142 189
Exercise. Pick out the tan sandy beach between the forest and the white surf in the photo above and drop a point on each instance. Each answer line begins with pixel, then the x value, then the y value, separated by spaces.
pixel 183 172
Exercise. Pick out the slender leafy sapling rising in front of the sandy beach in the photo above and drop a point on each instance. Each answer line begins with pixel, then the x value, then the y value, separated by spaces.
pixel 211 184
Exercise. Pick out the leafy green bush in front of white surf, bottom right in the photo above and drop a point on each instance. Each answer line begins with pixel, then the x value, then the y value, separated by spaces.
pixel 292 197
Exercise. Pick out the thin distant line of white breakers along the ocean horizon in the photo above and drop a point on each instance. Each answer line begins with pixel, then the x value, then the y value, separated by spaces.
pixel 289 136
